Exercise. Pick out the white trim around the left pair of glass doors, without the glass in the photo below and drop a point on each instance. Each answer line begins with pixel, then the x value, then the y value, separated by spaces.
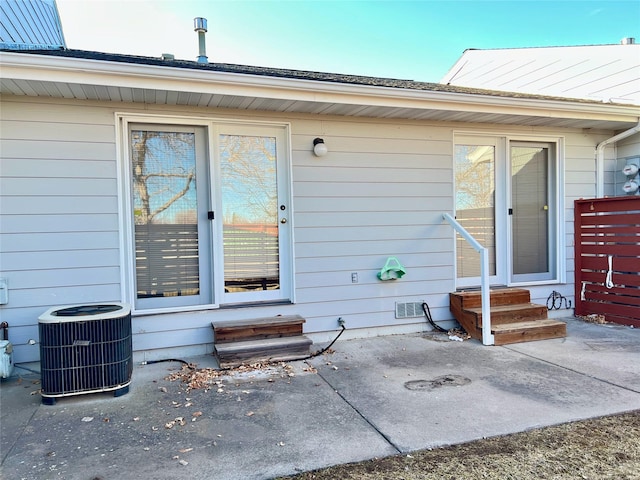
pixel 125 205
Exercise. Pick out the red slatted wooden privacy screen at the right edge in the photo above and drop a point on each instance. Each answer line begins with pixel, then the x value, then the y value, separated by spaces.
pixel 607 253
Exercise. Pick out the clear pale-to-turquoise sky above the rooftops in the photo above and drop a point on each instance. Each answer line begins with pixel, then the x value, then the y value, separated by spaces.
pixel 415 40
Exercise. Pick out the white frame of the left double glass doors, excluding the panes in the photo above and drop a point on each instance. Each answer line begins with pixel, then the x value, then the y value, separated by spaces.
pixel 125 212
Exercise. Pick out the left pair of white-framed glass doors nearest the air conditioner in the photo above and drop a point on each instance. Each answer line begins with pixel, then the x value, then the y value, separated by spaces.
pixel 209 214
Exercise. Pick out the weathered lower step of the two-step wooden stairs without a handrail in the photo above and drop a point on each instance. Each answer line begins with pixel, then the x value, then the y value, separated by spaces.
pixel 263 350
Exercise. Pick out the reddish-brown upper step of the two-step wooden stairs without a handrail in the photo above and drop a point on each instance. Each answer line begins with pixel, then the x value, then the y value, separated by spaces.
pixel 257 328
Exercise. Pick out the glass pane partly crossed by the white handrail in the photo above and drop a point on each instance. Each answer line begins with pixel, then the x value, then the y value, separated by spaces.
pixel 475 205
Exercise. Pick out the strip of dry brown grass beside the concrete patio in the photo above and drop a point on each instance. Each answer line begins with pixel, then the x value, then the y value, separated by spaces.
pixel 597 449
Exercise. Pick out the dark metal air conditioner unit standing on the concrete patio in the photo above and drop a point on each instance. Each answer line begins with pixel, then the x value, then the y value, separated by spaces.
pixel 85 349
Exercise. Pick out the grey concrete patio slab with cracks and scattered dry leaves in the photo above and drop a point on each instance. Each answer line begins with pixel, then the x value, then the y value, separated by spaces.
pixel 370 398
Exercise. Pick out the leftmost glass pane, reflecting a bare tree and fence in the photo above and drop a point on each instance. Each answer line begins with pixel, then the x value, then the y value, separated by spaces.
pixel 165 213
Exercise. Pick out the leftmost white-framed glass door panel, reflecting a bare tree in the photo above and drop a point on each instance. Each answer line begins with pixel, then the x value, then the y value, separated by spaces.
pixel 169 201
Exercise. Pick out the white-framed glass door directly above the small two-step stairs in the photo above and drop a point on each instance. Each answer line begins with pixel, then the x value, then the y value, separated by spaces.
pixel 255 215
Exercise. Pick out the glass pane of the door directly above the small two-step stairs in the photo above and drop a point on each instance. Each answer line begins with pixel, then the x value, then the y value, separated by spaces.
pixel 250 213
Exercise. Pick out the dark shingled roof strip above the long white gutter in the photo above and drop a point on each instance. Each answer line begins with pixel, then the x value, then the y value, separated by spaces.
pixel 286 73
